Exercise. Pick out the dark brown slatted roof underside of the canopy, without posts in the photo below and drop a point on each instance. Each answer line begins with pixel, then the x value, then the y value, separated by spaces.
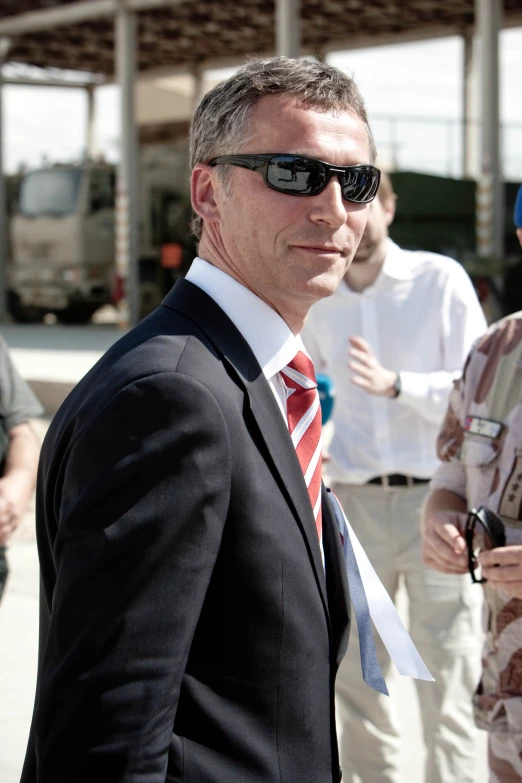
pixel 183 33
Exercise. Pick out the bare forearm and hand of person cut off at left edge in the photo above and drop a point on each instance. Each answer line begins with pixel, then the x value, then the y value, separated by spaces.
pixel 18 482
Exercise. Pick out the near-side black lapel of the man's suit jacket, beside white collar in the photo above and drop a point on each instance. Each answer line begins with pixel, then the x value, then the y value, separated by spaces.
pixel 202 310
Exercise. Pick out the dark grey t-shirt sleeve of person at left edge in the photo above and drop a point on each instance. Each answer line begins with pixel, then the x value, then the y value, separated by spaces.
pixel 17 402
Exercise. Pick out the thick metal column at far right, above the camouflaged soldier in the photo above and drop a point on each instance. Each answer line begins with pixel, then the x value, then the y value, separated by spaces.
pixel 490 195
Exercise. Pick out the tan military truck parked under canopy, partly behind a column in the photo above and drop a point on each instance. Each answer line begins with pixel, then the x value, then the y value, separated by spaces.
pixel 62 235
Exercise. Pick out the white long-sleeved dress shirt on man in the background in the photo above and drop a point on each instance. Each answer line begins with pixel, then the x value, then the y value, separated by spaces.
pixel 421 317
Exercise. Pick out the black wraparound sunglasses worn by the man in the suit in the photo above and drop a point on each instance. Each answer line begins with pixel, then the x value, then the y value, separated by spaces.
pixel 299 176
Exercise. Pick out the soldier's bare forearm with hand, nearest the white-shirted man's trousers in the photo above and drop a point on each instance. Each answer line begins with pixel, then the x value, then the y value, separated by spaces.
pixel 443 520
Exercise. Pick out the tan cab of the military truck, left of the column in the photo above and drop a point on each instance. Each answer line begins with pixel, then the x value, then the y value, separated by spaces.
pixel 62 243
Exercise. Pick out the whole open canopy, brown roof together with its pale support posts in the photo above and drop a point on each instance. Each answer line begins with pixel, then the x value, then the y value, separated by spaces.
pixel 123 39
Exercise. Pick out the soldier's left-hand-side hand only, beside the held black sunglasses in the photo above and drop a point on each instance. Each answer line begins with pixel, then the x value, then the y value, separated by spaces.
pixel 443 545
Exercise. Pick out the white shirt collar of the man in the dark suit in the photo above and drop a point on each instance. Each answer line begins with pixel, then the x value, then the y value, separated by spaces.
pixel 272 341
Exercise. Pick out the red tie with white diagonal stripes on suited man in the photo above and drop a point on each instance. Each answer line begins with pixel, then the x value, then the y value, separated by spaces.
pixel 304 422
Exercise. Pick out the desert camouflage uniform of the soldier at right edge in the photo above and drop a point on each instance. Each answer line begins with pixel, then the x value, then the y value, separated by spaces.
pixel 487 469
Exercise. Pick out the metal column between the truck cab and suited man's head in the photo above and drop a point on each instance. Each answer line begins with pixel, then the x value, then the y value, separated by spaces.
pixel 127 206
